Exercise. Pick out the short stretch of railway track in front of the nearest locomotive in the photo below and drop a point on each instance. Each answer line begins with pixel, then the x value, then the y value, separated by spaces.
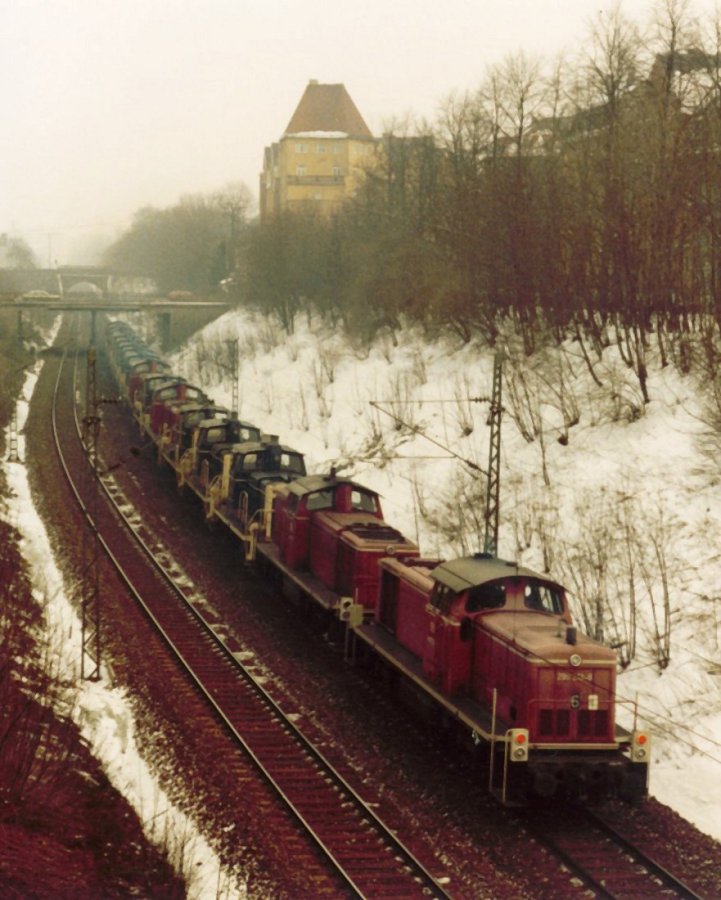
pixel 607 863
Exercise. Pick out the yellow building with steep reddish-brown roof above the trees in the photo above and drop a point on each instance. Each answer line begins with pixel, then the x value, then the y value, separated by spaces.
pixel 321 156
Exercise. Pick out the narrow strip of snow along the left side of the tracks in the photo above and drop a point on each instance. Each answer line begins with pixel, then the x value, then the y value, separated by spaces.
pixel 100 710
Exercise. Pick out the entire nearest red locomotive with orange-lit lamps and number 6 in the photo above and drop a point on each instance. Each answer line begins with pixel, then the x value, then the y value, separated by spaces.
pixel 496 642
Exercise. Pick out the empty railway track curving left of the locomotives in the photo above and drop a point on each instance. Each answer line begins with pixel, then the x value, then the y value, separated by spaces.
pixel 358 851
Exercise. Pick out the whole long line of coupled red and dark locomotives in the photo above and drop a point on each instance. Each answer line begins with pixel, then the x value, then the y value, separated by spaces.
pixel 485 645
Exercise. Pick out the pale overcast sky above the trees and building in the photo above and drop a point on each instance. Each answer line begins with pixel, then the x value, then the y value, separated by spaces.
pixel 111 105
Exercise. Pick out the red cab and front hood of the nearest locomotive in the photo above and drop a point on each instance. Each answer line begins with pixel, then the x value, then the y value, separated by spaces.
pixel 499 630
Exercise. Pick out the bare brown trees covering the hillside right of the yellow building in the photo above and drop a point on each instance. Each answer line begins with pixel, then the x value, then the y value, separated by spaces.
pixel 565 199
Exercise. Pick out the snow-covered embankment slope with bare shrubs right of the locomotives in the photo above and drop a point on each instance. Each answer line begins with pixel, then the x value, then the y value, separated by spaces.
pixel 613 497
